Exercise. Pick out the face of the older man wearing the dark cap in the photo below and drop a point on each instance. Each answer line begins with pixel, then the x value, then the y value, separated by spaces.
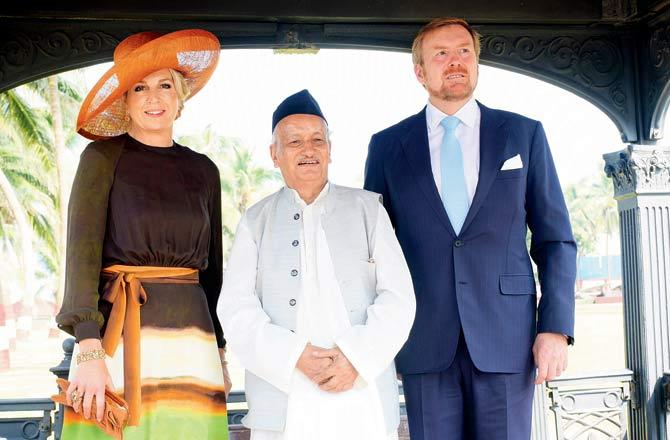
pixel 302 151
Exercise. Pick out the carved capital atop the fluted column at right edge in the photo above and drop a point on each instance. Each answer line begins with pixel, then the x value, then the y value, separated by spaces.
pixel 639 169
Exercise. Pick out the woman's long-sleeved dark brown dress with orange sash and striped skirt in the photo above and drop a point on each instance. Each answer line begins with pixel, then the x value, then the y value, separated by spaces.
pixel 144 271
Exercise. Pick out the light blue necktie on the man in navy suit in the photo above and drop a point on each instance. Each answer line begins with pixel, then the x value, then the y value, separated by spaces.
pixel 454 192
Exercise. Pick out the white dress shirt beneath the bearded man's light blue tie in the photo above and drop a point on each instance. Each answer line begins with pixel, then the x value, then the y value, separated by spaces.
pixel 467 134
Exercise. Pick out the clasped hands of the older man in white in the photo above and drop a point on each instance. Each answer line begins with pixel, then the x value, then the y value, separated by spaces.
pixel 328 368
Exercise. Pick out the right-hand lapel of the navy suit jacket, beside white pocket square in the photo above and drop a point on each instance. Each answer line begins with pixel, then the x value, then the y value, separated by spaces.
pixel 493 133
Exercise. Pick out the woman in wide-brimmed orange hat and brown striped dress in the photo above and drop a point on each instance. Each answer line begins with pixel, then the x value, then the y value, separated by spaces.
pixel 144 254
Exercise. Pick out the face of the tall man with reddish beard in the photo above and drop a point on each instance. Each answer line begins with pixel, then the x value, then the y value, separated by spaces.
pixel 449 71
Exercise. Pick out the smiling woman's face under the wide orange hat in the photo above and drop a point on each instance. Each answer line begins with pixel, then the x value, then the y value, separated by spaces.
pixel 153 104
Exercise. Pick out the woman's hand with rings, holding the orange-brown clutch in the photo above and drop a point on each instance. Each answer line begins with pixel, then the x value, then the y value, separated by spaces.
pixel 90 381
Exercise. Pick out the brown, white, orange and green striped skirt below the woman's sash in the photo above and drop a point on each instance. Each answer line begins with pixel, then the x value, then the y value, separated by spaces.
pixel 182 382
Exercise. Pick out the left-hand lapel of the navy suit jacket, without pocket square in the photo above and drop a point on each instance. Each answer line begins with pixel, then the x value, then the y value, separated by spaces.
pixel 415 147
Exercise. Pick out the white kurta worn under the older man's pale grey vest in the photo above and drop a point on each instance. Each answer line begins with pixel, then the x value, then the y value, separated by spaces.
pixel 322 320
